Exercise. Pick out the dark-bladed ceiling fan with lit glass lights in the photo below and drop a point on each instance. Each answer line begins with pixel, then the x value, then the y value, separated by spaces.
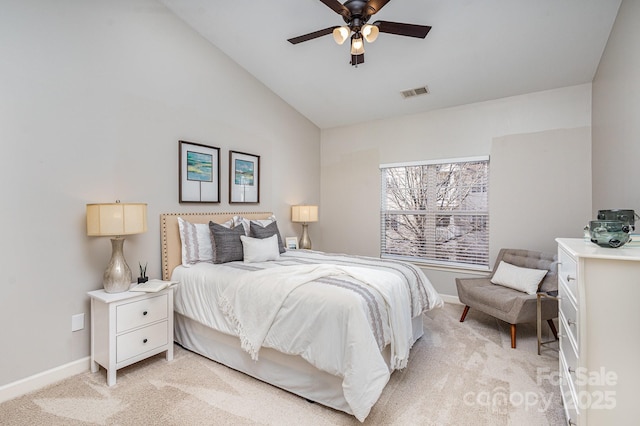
pixel 356 14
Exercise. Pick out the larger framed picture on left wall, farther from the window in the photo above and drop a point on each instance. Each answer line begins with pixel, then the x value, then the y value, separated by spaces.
pixel 198 173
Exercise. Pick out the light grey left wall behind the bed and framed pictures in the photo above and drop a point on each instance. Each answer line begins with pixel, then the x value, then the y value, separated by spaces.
pixel 94 96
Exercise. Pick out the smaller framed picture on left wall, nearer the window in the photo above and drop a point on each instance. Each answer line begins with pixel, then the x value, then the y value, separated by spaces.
pixel 244 177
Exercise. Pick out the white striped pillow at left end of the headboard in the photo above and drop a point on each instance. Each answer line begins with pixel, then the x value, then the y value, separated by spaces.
pixel 197 242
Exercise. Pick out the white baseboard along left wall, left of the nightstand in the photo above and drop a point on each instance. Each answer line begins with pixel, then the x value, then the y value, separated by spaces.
pixel 45 378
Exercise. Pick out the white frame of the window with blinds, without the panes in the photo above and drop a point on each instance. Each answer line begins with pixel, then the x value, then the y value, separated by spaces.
pixel 432 261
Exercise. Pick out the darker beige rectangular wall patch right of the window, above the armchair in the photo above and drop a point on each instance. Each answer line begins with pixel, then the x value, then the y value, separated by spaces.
pixel 539 188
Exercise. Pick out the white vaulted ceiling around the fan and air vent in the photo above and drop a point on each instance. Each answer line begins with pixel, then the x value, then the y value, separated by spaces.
pixel 475 51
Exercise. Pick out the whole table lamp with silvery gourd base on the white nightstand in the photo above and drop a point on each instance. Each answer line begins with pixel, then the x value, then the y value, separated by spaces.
pixel 115 220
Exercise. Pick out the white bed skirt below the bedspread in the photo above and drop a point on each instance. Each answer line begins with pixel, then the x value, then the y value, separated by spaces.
pixel 289 372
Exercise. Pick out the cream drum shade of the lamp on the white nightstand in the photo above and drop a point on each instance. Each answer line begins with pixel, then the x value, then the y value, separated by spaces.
pixel 114 219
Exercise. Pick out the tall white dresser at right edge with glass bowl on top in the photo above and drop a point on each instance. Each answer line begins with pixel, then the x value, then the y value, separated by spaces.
pixel 599 318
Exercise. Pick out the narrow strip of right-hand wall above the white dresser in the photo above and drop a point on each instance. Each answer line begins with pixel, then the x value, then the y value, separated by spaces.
pixel 616 116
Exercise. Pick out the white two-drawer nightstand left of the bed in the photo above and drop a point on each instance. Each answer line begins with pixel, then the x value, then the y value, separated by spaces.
pixel 128 327
